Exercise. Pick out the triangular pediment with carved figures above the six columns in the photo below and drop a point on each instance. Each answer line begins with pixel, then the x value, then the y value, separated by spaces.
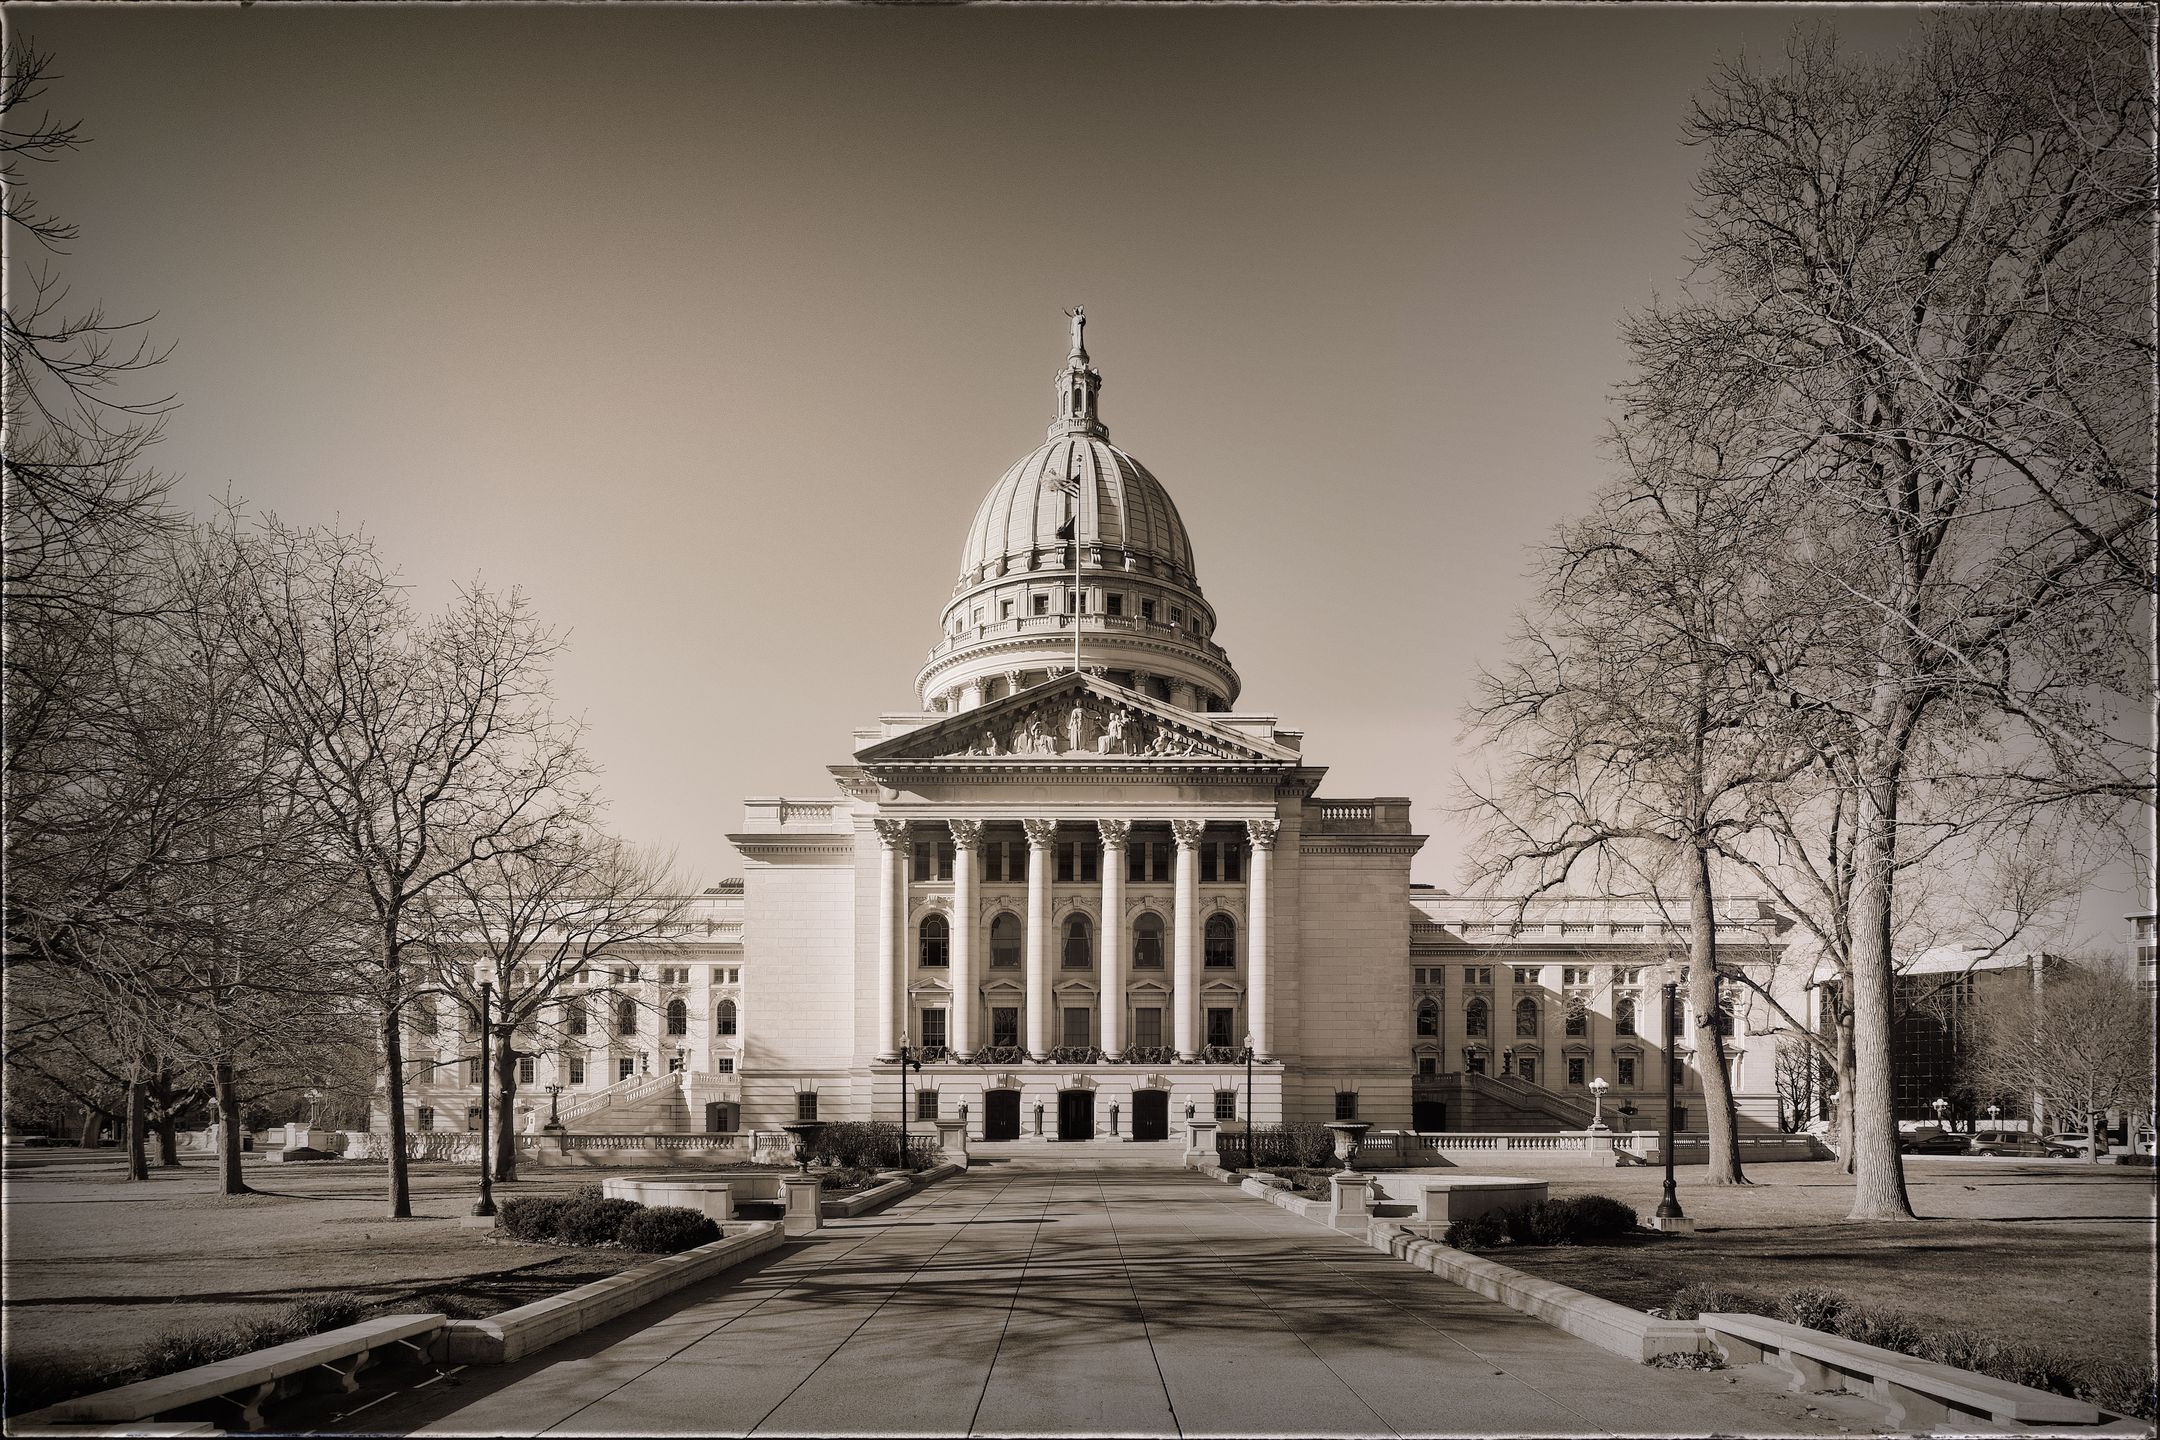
pixel 1077 720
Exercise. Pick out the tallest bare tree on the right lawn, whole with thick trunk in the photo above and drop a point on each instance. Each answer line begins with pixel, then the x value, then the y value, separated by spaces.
pixel 1930 280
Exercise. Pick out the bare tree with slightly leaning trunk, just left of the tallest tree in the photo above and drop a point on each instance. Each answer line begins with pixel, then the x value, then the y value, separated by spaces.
pixel 1634 720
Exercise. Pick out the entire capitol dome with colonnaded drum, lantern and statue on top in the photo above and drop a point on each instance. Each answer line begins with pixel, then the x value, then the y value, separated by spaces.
pixel 1139 610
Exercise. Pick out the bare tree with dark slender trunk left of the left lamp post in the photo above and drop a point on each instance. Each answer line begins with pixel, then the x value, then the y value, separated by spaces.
pixel 420 748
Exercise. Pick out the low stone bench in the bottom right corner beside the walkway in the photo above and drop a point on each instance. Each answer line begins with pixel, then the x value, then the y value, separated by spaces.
pixel 1917 1394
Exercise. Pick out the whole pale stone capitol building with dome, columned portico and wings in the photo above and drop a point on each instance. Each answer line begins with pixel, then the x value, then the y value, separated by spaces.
pixel 1081 886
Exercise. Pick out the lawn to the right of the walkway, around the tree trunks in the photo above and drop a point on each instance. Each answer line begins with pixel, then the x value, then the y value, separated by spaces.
pixel 2049 1253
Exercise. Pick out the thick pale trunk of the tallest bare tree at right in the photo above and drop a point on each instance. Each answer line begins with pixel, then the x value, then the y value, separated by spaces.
pixel 1878 1167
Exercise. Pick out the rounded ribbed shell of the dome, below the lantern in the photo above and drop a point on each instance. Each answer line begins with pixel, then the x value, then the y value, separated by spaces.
pixel 1122 508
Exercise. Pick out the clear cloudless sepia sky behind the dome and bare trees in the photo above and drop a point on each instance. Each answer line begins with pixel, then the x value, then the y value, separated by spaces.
pixel 710 327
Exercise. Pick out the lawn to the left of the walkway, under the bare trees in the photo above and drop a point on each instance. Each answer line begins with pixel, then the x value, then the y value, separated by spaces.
pixel 98 1266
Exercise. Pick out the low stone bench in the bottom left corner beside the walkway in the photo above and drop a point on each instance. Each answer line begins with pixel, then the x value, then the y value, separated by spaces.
pixel 256 1378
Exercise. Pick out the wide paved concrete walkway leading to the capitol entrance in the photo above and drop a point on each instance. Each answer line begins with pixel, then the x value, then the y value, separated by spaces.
pixel 1034 1296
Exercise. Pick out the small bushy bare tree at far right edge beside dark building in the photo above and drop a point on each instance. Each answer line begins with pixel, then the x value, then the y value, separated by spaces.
pixel 2081 1044
